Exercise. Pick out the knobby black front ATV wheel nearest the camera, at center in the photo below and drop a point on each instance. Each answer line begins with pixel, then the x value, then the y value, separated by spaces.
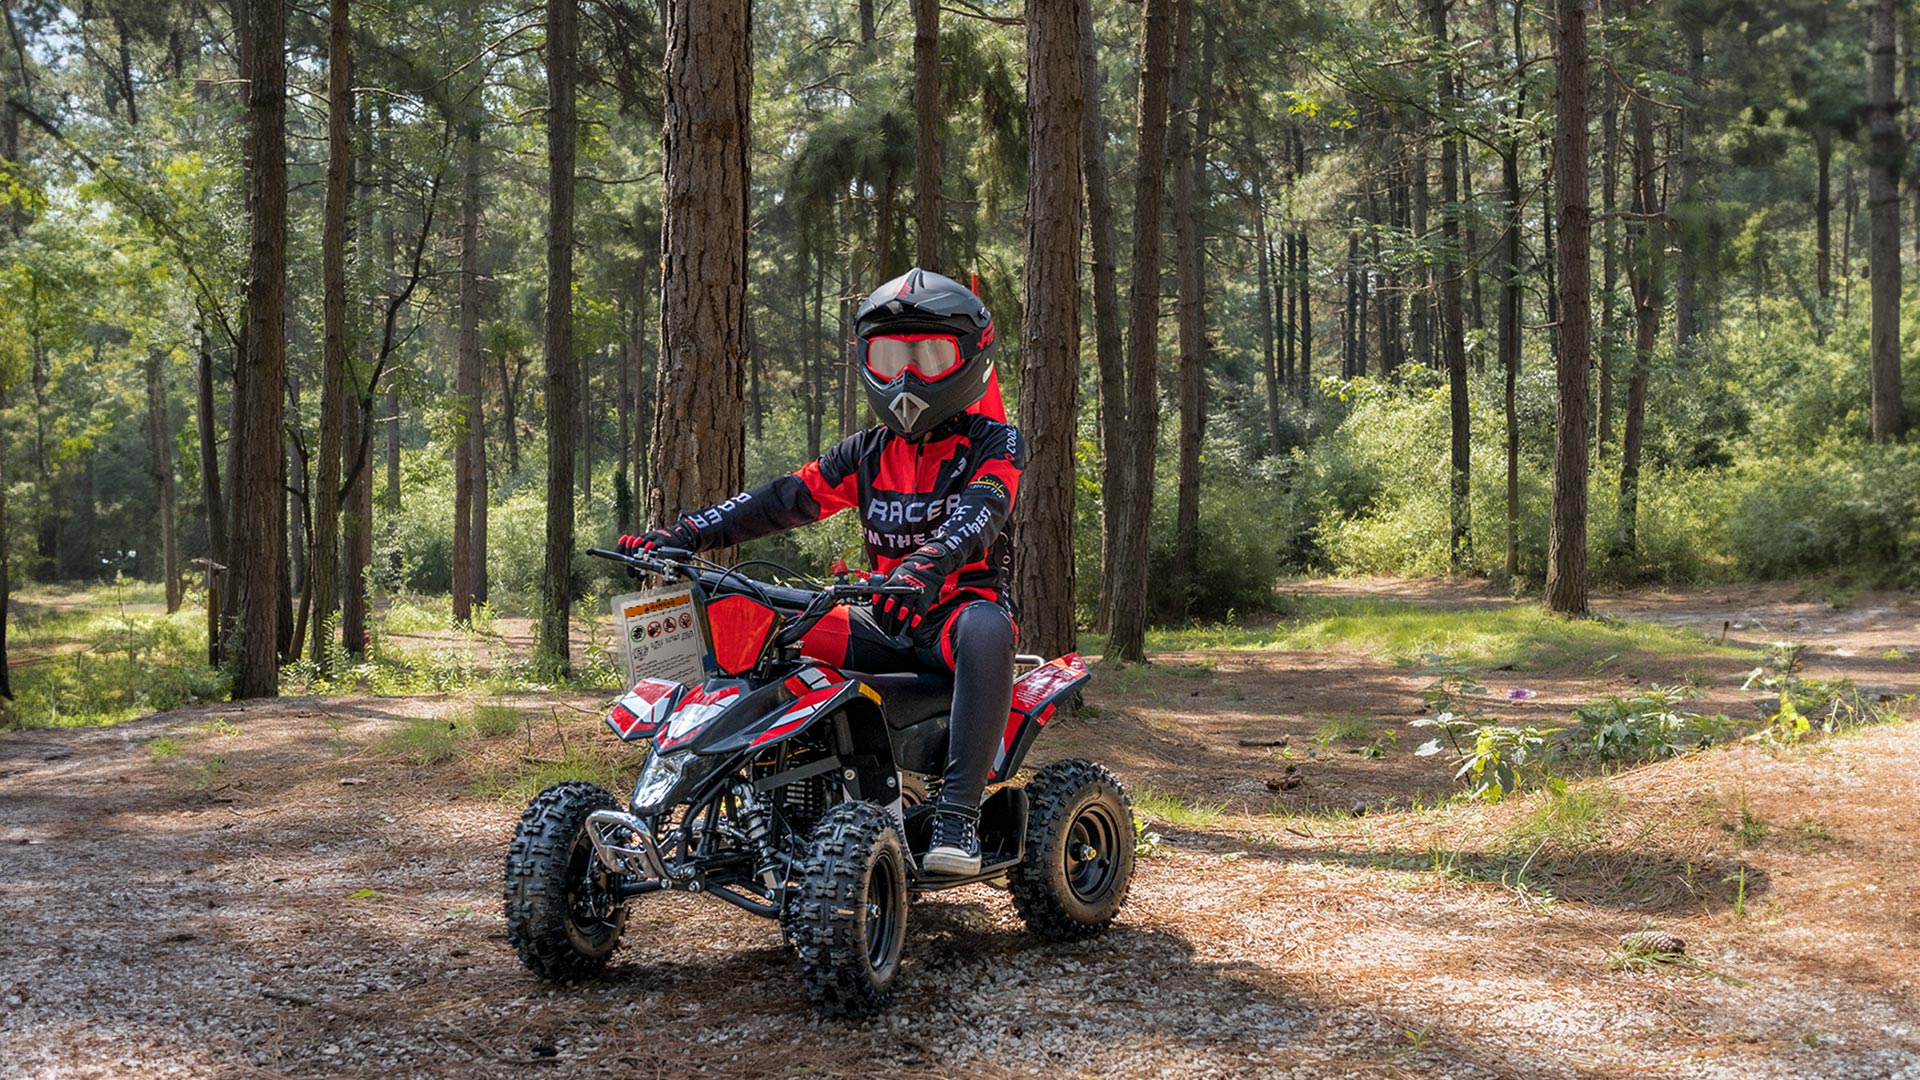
pixel 850 916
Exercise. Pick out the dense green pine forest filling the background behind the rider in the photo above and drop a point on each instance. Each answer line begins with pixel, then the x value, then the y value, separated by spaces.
pixel 277 291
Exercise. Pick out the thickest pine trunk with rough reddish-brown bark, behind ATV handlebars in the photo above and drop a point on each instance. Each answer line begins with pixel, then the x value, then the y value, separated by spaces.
pixel 700 408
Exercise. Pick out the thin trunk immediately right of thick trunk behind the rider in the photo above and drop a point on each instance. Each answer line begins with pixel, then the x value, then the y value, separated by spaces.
pixel 1107 341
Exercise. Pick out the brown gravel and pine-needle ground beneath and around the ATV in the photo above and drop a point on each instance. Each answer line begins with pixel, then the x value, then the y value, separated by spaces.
pixel 312 908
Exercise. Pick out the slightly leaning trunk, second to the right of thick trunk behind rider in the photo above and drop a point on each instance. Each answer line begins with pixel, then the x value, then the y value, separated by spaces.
pixel 1134 516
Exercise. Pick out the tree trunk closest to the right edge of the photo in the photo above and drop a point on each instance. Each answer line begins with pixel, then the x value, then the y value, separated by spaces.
pixel 1884 210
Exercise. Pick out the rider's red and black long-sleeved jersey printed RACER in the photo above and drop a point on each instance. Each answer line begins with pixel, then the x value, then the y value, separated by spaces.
pixel 951 491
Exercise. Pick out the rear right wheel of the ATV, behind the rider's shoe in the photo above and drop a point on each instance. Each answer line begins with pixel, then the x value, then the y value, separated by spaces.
pixel 1080 852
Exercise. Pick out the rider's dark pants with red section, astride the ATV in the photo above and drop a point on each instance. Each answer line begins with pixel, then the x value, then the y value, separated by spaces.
pixel 976 643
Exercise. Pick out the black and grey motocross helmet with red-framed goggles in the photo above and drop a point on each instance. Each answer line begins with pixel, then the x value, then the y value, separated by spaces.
pixel 926 351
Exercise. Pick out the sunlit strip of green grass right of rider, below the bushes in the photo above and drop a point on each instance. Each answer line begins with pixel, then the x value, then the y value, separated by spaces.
pixel 1518 635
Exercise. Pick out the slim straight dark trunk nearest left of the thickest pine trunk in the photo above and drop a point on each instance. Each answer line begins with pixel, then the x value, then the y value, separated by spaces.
pixel 556 583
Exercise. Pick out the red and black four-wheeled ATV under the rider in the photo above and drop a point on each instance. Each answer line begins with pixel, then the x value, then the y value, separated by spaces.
pixel 800 793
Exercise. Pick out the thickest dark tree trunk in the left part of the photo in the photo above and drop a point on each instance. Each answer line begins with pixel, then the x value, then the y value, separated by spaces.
pixel 260 406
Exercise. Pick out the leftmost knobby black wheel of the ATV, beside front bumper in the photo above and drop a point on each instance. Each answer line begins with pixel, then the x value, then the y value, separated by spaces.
pixel 562 914
